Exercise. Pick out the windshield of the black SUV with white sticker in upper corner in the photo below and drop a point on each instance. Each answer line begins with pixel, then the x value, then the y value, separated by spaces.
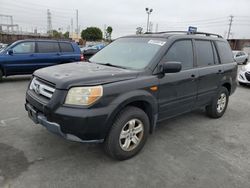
pixel 132 53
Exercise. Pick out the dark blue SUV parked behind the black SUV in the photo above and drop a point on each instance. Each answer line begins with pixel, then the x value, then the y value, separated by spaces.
pixel 26 56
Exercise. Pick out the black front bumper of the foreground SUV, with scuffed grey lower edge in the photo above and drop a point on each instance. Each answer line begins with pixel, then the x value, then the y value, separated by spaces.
pixel 77 124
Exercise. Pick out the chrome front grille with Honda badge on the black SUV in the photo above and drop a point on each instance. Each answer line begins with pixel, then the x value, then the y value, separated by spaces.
pixel 42 88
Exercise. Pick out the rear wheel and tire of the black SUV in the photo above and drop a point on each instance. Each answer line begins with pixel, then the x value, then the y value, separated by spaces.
pixel 219 104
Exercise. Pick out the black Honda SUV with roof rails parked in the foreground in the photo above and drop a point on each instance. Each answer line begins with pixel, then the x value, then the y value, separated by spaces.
pixel 120 95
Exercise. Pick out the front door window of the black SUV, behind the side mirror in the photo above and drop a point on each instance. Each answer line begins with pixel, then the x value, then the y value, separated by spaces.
pixel 181 51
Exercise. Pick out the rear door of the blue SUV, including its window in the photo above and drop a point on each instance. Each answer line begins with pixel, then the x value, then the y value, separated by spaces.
pixel 48 54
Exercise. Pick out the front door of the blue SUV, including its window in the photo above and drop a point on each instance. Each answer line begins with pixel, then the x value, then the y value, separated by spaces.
pixel 20 62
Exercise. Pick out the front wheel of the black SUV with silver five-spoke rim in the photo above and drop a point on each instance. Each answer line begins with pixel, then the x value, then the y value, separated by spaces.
pixel 128 134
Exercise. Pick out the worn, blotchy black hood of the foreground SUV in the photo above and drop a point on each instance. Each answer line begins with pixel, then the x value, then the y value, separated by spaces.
pixel 83 73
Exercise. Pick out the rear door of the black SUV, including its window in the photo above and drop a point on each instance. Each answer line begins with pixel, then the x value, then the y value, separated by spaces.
pixel 210 71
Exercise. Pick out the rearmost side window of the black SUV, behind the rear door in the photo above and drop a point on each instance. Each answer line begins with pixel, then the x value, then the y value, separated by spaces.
pixel 225 52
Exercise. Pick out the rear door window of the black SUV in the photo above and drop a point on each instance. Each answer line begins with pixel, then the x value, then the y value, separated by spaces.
pixel 205 54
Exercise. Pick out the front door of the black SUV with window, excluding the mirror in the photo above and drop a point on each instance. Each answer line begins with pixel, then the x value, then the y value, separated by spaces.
pixel 178 91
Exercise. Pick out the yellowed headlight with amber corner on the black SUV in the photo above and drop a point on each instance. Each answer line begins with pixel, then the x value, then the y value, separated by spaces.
pixel 84 95
